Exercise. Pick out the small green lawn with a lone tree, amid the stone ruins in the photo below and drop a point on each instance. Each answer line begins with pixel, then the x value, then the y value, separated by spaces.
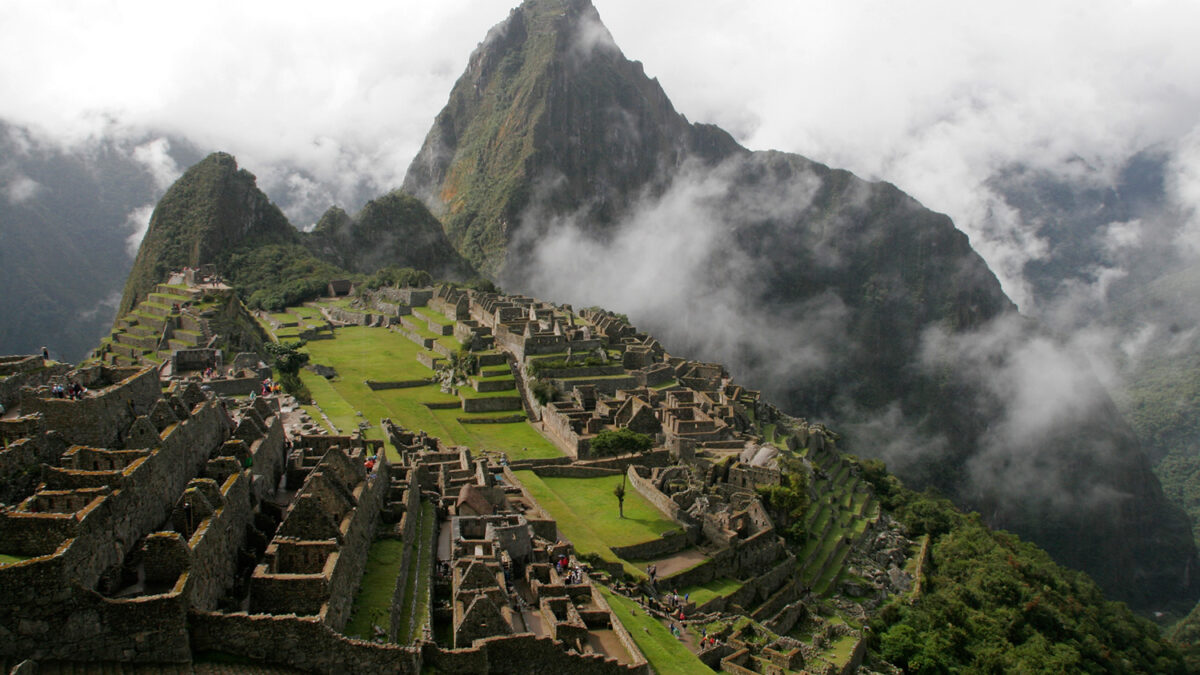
pixel 586 511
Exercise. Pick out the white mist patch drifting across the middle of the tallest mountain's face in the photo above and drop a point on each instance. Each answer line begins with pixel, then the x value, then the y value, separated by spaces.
pixel 675 267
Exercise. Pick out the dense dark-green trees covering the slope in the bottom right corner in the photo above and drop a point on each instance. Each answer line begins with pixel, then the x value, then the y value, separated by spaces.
pixel 994 604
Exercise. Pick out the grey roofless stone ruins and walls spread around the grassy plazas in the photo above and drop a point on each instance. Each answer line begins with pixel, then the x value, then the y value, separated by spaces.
pixel 157 525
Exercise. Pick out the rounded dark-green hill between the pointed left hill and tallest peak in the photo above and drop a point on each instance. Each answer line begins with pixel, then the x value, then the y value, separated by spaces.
pixel 395 230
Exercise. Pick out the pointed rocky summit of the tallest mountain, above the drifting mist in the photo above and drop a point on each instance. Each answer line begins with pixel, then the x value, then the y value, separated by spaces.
pixel 548 106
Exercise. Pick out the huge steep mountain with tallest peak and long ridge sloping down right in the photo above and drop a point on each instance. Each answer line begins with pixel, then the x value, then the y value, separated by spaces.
pixel 563 170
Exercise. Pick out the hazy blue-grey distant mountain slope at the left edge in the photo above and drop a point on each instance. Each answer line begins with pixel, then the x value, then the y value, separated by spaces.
pixel 64 223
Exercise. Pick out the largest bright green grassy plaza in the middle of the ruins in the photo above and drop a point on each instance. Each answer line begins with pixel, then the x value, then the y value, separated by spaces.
pixel 359 354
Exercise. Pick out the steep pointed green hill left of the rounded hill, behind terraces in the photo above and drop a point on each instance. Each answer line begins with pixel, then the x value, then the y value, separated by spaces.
pixel 212 211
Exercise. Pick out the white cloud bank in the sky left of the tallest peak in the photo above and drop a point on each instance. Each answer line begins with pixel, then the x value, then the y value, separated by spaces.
pixel 313 86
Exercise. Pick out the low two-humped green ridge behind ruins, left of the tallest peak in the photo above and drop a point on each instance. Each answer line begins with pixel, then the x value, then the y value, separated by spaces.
pixel 215 214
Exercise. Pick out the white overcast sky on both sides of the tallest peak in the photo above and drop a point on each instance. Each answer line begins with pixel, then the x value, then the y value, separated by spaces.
pixel 933 97
